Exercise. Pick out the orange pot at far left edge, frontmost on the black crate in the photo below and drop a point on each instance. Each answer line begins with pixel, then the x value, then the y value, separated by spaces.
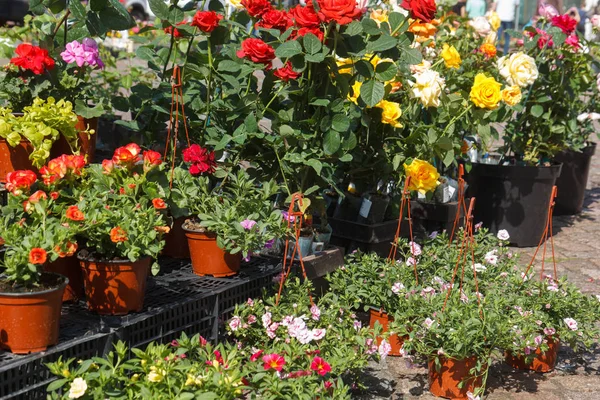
pixel 29 322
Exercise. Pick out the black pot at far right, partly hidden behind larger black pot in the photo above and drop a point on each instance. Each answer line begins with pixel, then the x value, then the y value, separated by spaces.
pixel 573 179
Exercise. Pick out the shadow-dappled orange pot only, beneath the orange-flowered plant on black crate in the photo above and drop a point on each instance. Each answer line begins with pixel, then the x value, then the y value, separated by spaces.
pixel 115 287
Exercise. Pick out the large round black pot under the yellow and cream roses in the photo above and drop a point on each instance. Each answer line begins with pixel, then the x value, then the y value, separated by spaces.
pixel 514 198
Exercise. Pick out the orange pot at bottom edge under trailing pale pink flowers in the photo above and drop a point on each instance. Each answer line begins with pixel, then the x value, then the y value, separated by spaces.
pixel 445 382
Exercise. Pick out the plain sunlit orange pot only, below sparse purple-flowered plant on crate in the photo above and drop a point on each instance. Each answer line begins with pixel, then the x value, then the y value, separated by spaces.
pixel 208 258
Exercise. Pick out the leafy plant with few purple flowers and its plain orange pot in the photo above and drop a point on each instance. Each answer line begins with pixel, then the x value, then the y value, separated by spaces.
pixel 233 220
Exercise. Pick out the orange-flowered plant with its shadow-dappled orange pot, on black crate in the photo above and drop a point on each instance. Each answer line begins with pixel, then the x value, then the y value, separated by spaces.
pixel 120 219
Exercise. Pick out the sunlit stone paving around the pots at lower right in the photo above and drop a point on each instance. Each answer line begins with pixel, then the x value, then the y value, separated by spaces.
pixel 577 376
